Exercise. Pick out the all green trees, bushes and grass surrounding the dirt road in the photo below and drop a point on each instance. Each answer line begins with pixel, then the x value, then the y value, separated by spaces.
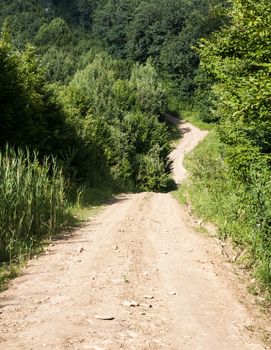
pixel 85 86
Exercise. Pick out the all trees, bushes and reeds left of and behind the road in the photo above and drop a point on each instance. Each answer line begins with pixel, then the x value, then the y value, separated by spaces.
pixel 83 89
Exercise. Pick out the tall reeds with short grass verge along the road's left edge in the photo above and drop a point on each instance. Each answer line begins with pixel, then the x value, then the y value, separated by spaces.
pixel 36 206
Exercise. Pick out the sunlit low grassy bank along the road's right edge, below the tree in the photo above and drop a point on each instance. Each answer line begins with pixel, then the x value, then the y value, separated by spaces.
pixel 234 208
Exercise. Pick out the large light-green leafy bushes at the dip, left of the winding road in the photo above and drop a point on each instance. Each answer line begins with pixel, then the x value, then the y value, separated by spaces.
pixel 110 115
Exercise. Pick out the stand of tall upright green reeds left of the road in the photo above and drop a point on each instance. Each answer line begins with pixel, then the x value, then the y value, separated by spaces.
pixel 32 201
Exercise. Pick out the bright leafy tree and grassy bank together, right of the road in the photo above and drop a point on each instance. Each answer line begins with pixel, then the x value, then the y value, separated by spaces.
pixel 230 170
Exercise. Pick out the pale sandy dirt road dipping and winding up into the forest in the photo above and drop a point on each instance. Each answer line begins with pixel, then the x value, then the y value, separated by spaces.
pixel 135 277
